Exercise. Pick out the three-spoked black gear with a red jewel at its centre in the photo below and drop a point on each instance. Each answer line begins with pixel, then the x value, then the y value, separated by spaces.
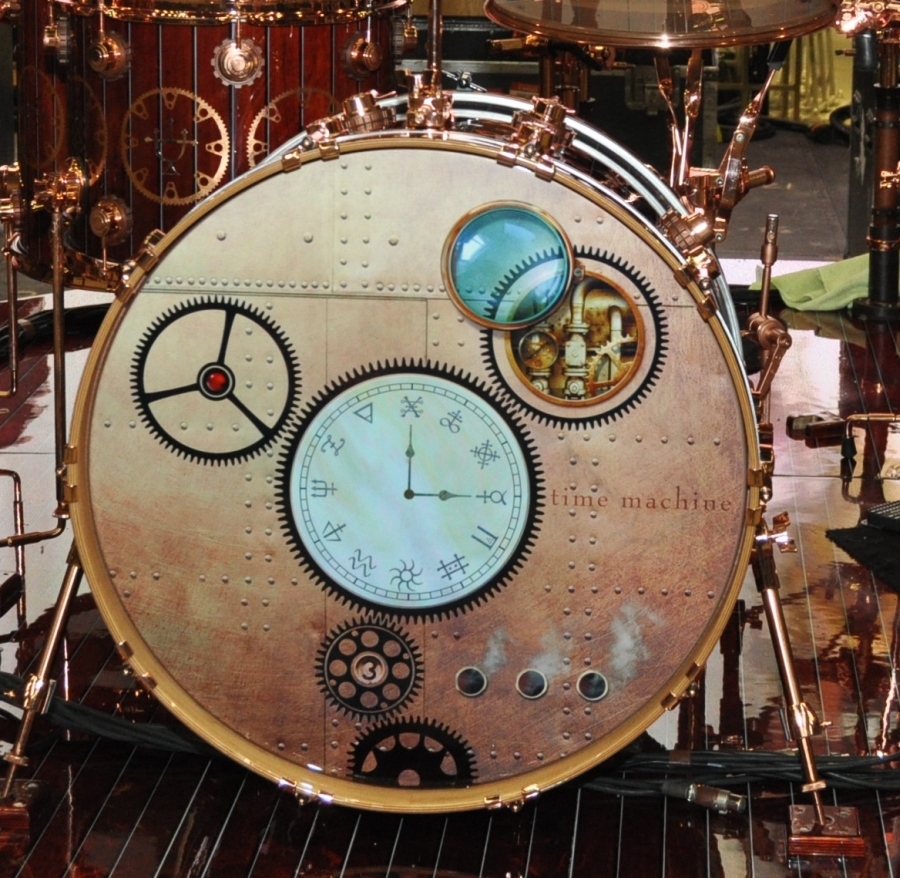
pixel 237 423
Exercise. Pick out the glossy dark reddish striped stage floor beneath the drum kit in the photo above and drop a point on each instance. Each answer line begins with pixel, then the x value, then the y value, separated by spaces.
pixel 106 808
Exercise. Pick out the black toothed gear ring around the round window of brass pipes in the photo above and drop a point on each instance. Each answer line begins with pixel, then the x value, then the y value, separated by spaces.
pixel 585 416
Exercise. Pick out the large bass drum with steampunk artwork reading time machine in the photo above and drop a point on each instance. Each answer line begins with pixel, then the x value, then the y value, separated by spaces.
pixel 411 479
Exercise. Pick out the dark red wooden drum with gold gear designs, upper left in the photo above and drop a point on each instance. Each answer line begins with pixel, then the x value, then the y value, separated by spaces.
pixel 159 113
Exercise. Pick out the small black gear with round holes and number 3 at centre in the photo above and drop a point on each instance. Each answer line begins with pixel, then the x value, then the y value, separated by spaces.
pixel 369 668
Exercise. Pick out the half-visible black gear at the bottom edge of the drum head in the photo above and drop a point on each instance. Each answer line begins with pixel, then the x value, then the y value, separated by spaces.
pixel 413 752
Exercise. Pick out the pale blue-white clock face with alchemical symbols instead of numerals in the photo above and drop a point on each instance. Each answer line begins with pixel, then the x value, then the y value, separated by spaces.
pixel 409 491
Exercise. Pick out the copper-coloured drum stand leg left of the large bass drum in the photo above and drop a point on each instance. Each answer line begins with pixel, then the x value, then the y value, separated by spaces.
pixel 17 796
